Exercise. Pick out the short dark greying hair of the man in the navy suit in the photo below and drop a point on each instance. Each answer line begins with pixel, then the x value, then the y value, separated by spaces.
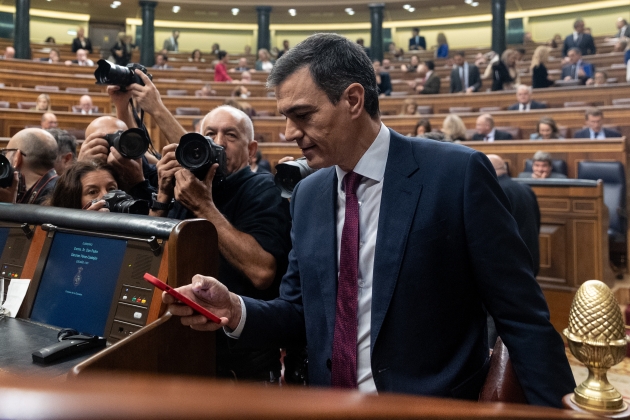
pixel 334 63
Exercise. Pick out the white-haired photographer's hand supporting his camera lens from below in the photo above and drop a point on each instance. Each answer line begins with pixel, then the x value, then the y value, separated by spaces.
pixel 194 194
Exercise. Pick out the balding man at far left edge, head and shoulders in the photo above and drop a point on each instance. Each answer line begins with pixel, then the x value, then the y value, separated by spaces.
pixel 32 152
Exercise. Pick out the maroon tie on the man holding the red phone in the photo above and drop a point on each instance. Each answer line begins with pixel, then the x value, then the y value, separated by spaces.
pixel 344 358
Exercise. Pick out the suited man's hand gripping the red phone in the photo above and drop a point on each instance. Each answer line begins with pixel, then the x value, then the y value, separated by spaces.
pixel 210 294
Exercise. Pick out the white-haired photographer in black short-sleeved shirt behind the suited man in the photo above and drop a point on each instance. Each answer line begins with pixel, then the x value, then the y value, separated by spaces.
pixel 251 218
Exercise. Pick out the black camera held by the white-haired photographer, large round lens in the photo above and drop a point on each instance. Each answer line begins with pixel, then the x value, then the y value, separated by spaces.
pixel 198 153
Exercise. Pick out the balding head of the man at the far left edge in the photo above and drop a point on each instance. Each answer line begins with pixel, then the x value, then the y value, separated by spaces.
pixel 38 150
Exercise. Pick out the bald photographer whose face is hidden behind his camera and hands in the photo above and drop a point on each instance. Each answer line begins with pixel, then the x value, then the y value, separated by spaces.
pixel 131 176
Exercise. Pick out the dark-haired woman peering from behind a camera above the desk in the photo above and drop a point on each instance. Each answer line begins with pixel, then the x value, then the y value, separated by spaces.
pixel 83 185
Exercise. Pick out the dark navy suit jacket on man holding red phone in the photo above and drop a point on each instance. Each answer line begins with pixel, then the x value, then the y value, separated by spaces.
pixel 446 246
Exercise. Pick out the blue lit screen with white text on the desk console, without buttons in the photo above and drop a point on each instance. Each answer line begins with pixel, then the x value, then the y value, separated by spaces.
pixel 78 282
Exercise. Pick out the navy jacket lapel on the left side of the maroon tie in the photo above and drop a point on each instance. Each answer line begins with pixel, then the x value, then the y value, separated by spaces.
pixel 325 216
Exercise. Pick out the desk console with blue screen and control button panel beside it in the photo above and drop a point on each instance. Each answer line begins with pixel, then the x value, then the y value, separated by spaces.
pixel 93 283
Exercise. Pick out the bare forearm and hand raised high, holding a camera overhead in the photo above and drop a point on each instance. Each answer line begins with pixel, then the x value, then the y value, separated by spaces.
pixel 148 98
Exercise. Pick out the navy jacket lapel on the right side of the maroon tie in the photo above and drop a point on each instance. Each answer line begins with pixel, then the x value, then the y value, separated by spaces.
pixel 398 206
